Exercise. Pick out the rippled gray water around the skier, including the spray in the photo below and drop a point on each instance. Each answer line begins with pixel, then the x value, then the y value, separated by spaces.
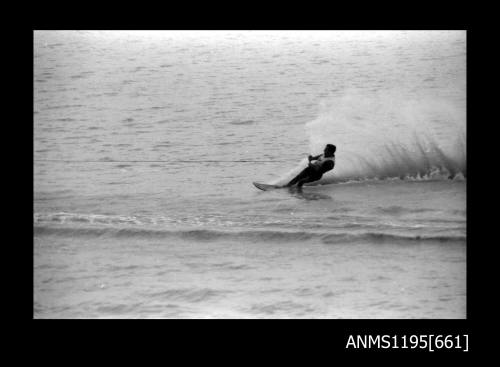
pixel 147 143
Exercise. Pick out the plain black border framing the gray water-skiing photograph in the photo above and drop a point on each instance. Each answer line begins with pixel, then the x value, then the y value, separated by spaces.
pixel 256 342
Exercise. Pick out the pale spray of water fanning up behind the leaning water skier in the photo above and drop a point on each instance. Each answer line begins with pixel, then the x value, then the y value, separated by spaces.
pixel 384 136
